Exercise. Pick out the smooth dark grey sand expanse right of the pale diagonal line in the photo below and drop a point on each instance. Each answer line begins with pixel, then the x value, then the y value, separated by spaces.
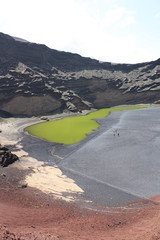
pixel 115 170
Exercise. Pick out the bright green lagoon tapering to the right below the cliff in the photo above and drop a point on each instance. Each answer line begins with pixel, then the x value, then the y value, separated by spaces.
pixel 74 129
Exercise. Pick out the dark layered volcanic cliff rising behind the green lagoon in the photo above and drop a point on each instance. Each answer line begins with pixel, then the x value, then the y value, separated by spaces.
pixel 35 80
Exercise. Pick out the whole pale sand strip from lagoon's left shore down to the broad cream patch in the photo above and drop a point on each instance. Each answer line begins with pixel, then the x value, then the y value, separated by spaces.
pixel 48 179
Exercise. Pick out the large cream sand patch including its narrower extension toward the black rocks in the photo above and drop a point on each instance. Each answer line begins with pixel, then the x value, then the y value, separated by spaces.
pixel 48 179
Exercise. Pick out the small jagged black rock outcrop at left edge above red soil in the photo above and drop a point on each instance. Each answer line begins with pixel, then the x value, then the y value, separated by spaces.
pixel 6 157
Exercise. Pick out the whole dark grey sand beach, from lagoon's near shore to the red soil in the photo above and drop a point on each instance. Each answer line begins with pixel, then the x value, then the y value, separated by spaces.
pixel 112 170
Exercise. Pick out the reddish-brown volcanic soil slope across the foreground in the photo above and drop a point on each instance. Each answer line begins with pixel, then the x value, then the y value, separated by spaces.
pixel 29 214
